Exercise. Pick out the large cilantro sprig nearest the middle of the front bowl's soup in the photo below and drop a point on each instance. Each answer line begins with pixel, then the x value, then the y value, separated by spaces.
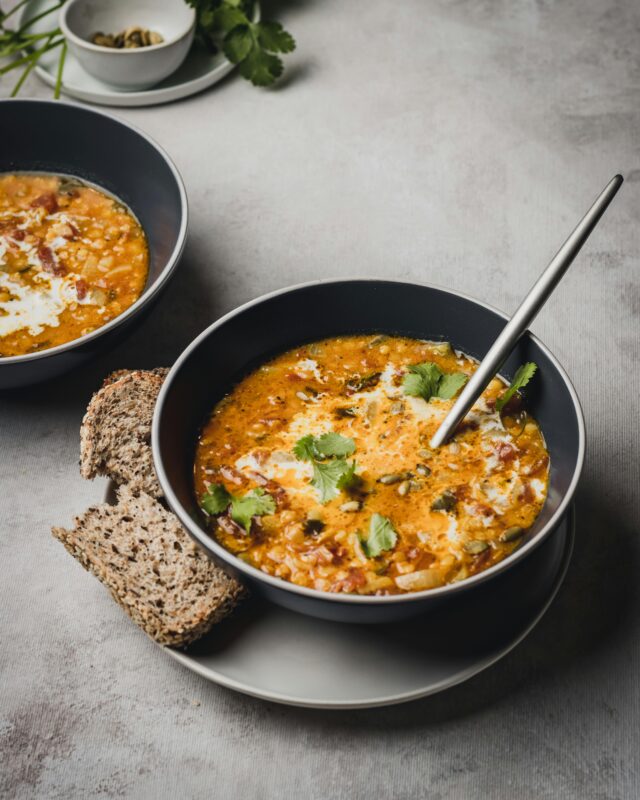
pixel 332 475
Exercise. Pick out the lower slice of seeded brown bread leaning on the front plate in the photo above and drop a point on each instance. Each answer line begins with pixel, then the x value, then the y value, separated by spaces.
pixel 141 553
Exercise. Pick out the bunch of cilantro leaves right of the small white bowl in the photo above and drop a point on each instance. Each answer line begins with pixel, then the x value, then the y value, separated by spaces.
pixel 227 24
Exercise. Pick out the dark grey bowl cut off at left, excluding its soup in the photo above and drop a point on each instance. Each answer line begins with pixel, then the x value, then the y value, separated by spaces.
pixel 50 136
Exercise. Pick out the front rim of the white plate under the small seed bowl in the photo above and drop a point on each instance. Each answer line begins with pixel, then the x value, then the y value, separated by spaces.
pixel 145 97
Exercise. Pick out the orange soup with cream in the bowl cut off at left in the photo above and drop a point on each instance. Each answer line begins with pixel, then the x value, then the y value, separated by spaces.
pixel 71 259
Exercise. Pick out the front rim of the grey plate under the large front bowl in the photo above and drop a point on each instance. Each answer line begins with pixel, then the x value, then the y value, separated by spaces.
pixel 396 699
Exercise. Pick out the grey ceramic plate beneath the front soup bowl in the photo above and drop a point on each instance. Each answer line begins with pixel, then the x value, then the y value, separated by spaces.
pixel 269 652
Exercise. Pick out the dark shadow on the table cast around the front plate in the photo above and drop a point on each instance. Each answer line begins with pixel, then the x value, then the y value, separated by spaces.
pixel 590 615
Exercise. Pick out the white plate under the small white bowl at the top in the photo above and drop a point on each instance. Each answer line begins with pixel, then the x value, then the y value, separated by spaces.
pixel 198 72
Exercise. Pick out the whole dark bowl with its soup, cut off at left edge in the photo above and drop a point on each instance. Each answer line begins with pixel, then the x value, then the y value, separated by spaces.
pixel 93 220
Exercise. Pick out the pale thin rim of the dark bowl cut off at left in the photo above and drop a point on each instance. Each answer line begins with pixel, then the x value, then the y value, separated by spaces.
pixel 172 262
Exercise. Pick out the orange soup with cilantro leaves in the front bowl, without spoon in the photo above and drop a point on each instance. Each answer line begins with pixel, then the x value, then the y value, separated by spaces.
pixel 317 469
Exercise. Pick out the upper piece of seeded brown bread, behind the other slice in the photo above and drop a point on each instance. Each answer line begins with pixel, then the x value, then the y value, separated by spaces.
pixel 115 437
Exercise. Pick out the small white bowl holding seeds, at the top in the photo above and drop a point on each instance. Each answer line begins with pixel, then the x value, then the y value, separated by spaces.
pixel 136 68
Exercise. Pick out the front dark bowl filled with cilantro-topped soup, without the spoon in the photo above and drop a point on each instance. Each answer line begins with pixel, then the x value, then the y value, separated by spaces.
pixel 292 439
